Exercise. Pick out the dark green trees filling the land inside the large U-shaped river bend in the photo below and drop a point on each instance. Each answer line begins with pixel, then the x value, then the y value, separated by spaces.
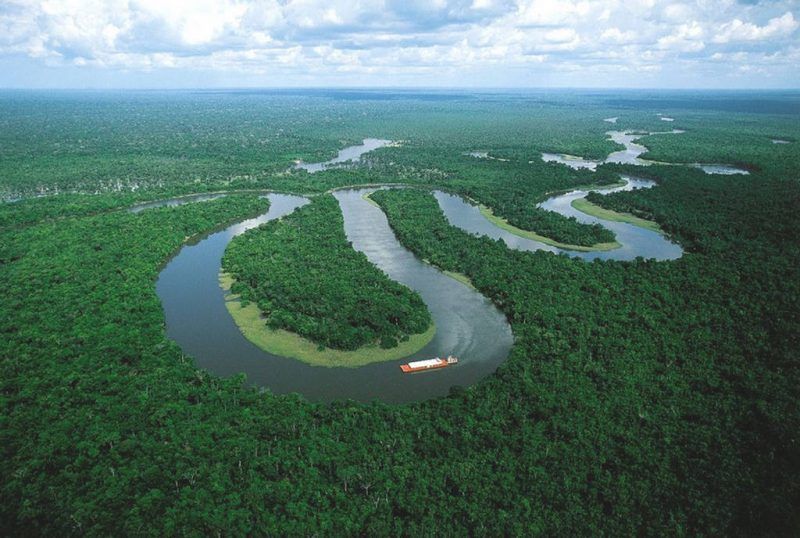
pixel 306 278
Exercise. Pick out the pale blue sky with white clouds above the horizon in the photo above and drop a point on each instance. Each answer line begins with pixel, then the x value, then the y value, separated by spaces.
pixel 399 43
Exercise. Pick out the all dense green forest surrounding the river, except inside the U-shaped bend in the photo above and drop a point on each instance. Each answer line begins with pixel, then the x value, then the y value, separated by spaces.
pixel 640 398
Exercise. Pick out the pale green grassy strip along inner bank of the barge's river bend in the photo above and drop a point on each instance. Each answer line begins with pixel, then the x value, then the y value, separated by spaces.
pixel 287 344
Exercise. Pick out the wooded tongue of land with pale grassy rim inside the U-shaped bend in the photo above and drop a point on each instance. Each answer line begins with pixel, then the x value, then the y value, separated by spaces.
pixel 298 289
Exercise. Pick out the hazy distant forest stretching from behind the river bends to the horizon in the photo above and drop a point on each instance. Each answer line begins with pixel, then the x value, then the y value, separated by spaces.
pixel 176 142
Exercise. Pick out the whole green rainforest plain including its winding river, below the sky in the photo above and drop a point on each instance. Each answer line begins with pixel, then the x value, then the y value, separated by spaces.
pixel 199 336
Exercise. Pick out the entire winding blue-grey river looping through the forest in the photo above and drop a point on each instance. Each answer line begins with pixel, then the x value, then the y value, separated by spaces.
pixel 468 324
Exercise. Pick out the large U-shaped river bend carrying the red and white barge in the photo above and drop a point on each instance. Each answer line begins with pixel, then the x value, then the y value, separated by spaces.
pixel 468 325
